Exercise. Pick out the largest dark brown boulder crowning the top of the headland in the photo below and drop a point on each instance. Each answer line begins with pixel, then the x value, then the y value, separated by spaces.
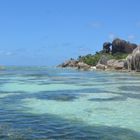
pixel 122 46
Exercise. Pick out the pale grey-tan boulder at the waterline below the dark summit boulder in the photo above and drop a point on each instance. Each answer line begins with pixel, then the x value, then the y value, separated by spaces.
pixel 117 64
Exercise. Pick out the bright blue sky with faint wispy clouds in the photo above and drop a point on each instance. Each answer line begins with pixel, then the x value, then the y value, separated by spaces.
pixel 48 32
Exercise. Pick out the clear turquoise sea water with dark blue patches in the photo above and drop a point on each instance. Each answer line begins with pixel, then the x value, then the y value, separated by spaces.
pixel 49 103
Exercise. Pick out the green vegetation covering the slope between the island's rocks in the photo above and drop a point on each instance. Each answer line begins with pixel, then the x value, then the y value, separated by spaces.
pixel 93 59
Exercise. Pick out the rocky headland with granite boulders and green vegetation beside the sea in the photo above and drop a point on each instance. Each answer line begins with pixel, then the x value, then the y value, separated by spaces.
pixel 118 55
